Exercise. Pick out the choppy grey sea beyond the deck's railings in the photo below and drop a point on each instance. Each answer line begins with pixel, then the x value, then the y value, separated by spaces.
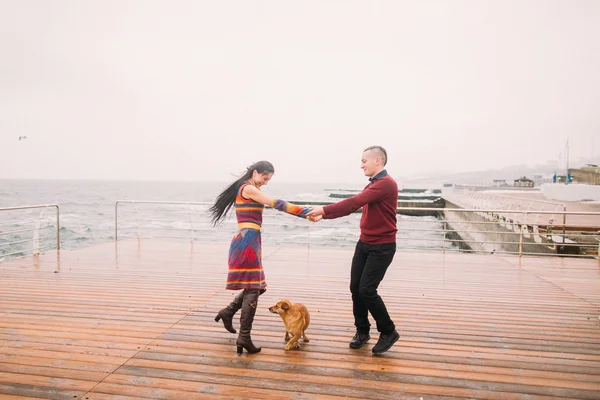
pixel 90 215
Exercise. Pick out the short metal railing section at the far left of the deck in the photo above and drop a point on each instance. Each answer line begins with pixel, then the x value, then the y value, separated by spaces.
pixel 36 238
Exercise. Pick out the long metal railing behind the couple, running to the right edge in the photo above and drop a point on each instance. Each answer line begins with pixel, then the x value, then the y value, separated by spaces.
pixel 476 230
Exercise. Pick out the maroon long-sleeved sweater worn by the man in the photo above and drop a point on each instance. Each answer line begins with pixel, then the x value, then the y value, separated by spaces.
pixel 378 220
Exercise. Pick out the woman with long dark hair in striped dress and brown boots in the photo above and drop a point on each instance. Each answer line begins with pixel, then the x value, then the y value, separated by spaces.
pixel 245 261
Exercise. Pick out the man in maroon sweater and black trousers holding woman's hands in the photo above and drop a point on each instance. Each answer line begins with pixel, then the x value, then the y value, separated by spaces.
pixel 375 249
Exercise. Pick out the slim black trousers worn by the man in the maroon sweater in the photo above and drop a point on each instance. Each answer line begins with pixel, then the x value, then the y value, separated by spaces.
pixel 369 264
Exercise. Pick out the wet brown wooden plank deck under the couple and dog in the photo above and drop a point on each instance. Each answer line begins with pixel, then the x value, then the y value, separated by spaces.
pixel 137 322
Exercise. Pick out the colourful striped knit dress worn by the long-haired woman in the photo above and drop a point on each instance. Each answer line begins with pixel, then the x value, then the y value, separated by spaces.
pixel 245 258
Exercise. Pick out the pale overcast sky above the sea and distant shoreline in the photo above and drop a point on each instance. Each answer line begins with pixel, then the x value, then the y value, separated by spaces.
pixel 198 90
